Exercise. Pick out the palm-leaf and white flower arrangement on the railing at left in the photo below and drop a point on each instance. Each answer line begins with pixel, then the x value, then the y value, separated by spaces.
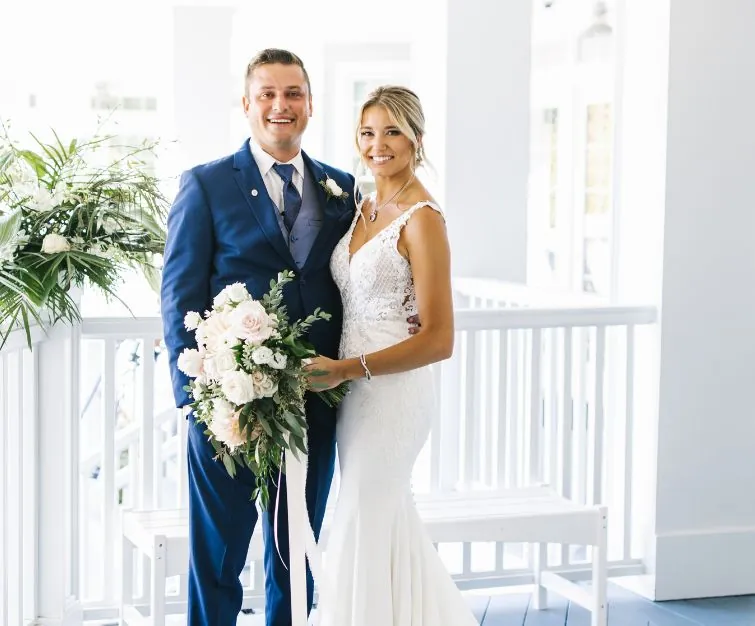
pixel 64 221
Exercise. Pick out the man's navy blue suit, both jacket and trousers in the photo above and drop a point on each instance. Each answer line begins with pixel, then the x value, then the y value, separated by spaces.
pixel 222 229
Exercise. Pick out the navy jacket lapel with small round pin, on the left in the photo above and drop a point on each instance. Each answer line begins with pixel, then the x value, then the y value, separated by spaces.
pixel 249 179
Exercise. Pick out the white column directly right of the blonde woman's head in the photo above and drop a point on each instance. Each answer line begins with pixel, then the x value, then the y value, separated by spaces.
pixel 487 136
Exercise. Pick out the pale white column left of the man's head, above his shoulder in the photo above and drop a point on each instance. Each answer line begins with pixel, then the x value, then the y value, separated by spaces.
pixel 203 88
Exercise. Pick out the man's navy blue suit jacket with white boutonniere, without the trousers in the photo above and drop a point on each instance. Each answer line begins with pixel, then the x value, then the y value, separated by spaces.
pixel 220 232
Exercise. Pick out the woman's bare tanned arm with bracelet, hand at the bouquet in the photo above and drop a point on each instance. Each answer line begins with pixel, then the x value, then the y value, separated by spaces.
pixel 425 242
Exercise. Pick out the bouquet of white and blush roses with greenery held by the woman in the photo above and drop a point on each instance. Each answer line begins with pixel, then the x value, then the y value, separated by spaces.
pixel 249 386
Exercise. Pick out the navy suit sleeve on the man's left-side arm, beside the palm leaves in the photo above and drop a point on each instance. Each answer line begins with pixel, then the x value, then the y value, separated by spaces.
pixel 187 268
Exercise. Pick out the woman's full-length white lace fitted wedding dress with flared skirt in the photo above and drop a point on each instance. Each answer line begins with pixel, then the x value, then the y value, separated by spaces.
pixel 381 568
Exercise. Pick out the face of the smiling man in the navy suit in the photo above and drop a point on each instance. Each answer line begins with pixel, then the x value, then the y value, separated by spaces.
pixel 278 106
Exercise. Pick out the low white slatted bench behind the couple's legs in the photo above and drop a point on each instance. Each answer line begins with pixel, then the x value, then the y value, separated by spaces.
pixel 534 515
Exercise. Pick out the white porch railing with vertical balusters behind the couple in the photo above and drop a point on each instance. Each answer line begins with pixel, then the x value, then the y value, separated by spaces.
pixel 531 394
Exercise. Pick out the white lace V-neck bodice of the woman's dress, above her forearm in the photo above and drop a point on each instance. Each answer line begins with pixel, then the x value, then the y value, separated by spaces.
pixel 376 287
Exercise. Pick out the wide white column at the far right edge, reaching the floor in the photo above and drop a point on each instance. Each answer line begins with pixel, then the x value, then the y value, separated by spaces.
pixel 705 502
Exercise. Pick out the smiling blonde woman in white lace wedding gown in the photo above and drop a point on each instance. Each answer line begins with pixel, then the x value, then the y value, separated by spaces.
pixel 394 261
